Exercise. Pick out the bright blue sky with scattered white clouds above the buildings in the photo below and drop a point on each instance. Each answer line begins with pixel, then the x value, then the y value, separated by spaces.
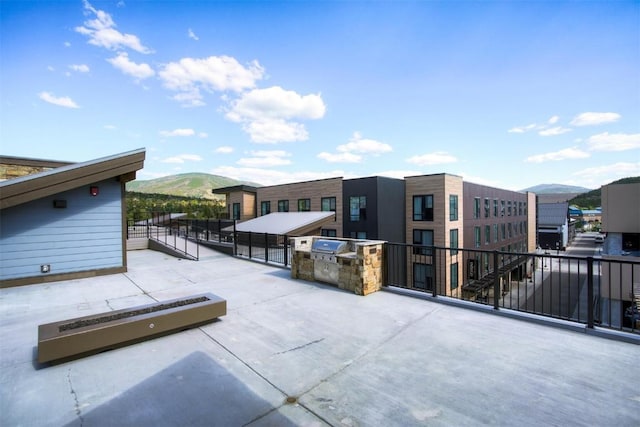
pixel 507 94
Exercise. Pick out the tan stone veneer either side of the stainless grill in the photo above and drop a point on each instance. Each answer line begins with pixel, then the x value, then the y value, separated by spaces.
pixel 359 272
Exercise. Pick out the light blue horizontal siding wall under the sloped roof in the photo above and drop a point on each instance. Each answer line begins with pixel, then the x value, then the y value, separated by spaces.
pixel 86 235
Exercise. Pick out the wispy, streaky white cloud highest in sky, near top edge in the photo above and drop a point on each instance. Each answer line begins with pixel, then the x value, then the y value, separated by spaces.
pixel 101 32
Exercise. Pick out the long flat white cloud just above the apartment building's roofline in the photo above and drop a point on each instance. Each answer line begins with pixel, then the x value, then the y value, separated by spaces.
pixel 273 176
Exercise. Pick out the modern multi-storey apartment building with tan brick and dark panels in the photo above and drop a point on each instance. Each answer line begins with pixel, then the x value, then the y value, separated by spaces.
pixel 439 210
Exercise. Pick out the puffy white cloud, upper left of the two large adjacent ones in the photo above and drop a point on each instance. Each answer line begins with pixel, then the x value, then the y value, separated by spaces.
pixel 216 73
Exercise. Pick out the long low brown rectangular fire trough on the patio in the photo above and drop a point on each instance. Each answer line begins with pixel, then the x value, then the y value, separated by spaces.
pixel 87 335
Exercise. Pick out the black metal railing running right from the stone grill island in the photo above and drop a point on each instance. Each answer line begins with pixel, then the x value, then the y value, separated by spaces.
pixel 592 291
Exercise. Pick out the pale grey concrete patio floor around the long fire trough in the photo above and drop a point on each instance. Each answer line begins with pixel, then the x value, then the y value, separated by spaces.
pixel 344 360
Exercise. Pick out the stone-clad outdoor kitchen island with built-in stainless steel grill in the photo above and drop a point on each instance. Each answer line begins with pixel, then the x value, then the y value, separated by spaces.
pixel 351 264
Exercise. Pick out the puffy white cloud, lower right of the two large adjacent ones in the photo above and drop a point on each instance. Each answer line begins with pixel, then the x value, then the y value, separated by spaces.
pixel 268 114
